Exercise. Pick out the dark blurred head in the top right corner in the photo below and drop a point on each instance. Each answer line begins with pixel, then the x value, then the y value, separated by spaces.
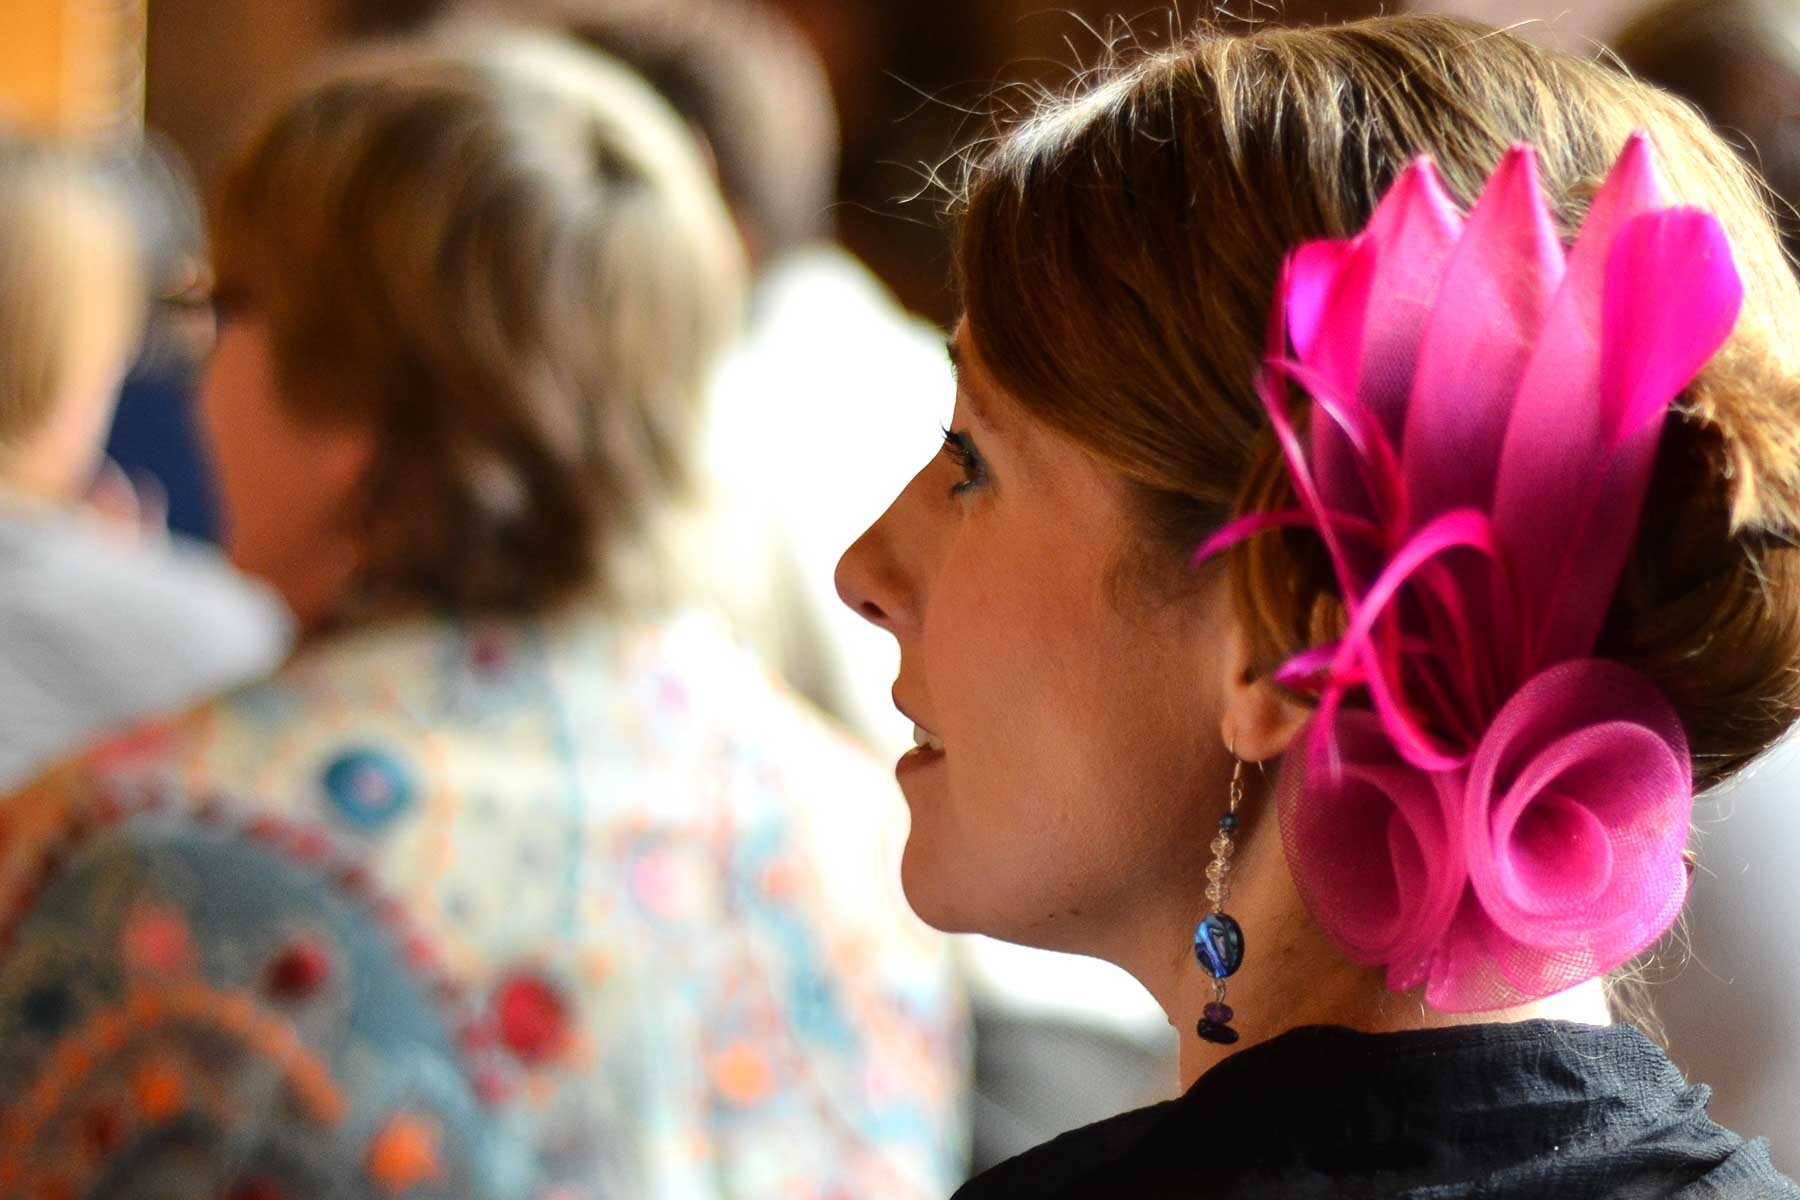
pixel 1740 64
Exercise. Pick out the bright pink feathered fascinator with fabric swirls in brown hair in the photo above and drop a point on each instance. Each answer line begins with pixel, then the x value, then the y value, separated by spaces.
pixel 1506 819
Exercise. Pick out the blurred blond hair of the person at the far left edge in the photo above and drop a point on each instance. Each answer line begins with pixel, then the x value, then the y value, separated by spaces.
pixel 71 280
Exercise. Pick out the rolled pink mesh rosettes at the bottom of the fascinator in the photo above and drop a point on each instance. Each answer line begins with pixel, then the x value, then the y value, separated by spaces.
pixel 1554 855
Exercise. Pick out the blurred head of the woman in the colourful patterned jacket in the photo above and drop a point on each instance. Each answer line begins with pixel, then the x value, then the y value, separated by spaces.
pixel 472 294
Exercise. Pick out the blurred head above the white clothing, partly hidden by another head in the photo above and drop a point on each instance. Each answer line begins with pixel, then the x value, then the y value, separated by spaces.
pixel 746 82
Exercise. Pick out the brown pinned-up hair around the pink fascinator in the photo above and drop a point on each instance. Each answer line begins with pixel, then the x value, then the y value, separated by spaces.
pixel 1119 255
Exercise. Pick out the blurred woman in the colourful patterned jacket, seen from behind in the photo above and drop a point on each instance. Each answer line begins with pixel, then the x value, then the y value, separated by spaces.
pixel 634 893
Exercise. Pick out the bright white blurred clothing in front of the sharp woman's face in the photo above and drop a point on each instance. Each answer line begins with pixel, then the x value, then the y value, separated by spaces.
pixel 820 418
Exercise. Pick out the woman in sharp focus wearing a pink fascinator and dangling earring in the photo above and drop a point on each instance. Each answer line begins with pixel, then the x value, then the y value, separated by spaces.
pixel 1414 739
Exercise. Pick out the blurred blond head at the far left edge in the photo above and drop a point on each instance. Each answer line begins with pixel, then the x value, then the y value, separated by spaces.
pixel 71 316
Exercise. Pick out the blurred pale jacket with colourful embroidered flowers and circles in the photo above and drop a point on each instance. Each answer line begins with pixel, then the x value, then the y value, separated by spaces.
pixel 523 909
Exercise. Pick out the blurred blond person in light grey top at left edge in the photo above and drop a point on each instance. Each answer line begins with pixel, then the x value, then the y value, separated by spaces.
pixel 103 618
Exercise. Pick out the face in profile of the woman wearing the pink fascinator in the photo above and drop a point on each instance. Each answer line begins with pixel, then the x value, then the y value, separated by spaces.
pixel 1072 717
